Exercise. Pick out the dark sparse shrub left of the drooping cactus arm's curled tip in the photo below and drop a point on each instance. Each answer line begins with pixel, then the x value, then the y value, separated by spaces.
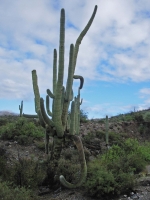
pixel 26 173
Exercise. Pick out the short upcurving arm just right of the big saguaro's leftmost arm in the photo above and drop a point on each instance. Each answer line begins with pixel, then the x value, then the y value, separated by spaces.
pixel 47 120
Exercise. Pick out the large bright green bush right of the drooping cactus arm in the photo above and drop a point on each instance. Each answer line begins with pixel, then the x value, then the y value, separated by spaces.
pixel 114 172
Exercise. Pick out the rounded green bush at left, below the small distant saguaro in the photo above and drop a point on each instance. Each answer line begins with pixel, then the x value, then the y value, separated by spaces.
pixel 22 130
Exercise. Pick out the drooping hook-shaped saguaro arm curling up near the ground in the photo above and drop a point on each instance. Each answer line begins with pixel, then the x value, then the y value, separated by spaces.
pixel 79 146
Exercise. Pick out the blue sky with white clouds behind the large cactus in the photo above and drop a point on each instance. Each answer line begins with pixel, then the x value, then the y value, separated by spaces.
pixel 114 56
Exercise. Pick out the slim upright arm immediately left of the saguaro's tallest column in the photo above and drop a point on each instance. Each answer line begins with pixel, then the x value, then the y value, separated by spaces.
pixel 54 71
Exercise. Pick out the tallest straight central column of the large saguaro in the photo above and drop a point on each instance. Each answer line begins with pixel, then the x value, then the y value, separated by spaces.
pixel 57 110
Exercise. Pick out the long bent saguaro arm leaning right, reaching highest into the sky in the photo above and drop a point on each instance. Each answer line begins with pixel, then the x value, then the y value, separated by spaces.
pixel 82 34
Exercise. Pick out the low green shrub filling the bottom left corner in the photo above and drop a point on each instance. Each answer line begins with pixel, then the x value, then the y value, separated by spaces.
pixel 8 192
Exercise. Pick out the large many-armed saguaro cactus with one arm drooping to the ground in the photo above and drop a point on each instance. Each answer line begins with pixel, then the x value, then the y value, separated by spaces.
pixel 58 123
